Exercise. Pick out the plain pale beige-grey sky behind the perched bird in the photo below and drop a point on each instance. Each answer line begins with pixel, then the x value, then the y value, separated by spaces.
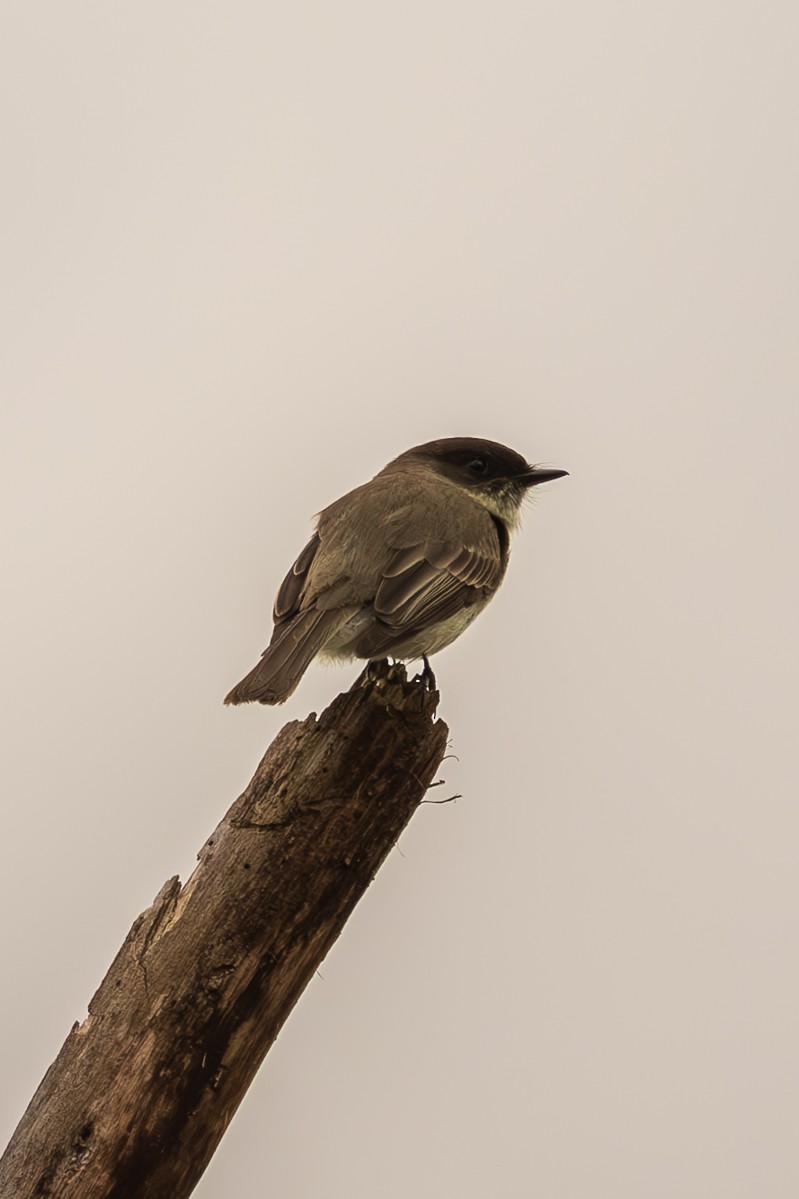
pixel 250 254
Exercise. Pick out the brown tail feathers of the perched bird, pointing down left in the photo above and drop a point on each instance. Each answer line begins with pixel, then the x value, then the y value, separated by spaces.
pixel 287 659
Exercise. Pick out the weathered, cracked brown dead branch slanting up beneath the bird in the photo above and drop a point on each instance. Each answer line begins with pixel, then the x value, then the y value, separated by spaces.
pixel 145 1088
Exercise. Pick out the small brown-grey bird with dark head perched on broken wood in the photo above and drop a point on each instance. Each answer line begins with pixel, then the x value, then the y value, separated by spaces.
pixel 400 567
